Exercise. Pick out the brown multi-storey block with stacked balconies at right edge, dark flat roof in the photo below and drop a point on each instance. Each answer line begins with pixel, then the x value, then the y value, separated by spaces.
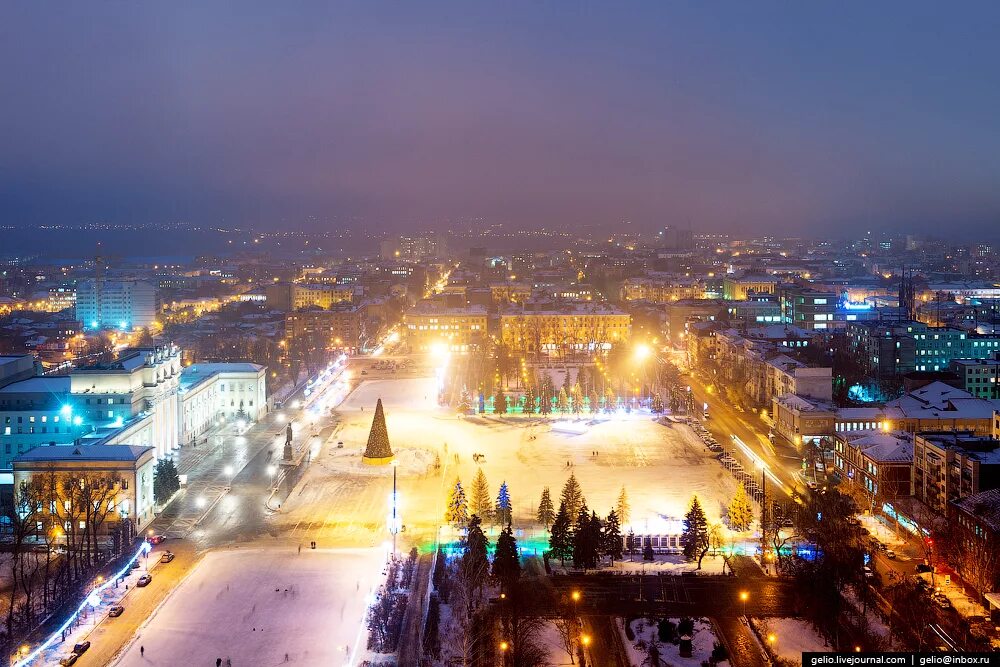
pixel 950 466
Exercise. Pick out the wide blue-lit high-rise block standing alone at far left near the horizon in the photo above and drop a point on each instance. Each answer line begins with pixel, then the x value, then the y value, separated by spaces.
pixel 120 304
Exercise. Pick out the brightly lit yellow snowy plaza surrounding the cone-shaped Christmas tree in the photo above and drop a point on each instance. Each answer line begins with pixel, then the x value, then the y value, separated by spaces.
pixel 342 502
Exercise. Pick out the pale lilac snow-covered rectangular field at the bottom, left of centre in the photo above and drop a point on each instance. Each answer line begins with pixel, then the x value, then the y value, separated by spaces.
pixel 255 606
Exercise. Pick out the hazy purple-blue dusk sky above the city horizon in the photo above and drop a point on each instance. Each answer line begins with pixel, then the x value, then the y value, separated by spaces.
pixel 745 116
